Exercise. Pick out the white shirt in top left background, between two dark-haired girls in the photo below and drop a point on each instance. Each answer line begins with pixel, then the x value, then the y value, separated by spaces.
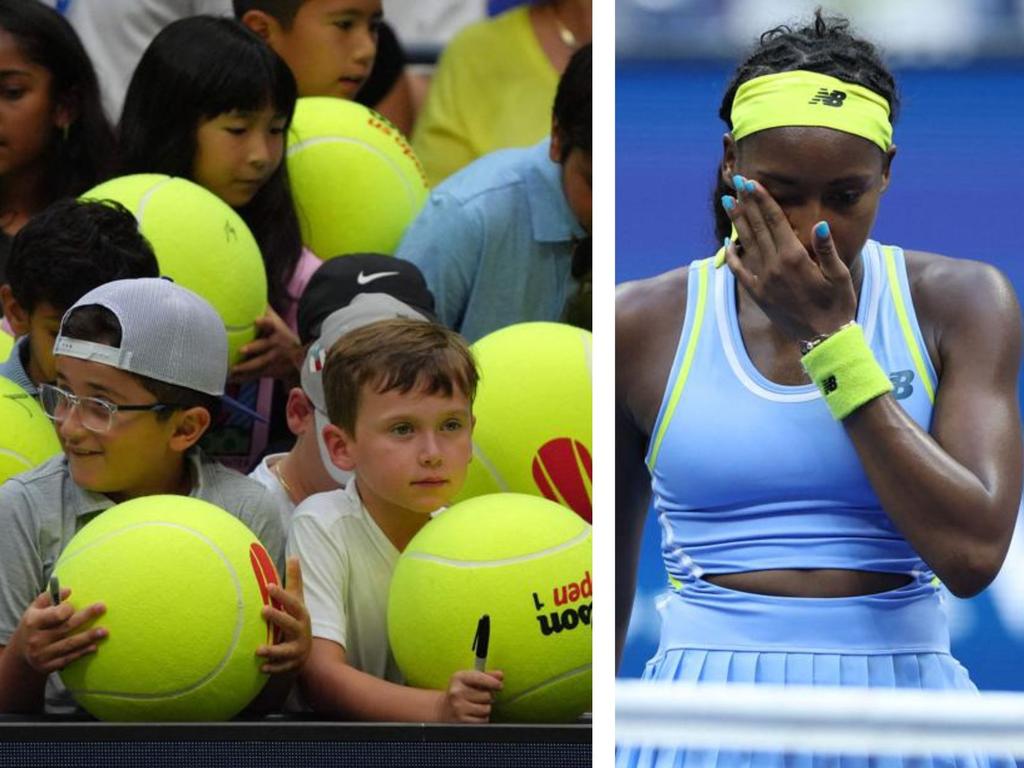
pixel 116 32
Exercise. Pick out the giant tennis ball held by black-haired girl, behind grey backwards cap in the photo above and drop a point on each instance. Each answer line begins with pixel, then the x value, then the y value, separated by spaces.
pixel 201 243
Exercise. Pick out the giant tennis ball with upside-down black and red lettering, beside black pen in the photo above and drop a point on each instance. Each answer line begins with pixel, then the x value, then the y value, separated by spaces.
pixel 524 562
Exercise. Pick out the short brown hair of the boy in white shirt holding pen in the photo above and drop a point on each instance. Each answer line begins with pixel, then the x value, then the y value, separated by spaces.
pixel 396 355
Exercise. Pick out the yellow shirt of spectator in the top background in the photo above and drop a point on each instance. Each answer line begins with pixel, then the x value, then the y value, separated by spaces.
pixel 494 89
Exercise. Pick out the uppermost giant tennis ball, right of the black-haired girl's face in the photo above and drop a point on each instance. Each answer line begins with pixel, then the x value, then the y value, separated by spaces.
pixel 356 182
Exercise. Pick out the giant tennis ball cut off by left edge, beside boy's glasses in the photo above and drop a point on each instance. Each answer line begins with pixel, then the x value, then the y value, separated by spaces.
pixel 27 436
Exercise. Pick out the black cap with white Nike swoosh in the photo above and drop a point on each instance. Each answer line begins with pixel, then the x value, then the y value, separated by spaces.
pixel 340 280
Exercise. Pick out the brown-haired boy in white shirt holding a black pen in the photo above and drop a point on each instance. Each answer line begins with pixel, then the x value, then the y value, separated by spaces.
pixel 400 398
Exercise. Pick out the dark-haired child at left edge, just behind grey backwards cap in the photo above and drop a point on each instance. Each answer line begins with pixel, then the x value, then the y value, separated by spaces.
pixel 58 258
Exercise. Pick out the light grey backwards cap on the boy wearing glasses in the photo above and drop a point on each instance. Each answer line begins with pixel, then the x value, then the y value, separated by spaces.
pixel 168 333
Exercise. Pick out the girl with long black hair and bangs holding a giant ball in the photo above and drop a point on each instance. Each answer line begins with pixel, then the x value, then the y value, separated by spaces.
pixel 211 103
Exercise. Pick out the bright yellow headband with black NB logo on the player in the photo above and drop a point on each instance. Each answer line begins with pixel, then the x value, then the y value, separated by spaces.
pixel 808 99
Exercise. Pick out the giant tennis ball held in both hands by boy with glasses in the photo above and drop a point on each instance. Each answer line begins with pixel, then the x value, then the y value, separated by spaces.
pixel 184 583
